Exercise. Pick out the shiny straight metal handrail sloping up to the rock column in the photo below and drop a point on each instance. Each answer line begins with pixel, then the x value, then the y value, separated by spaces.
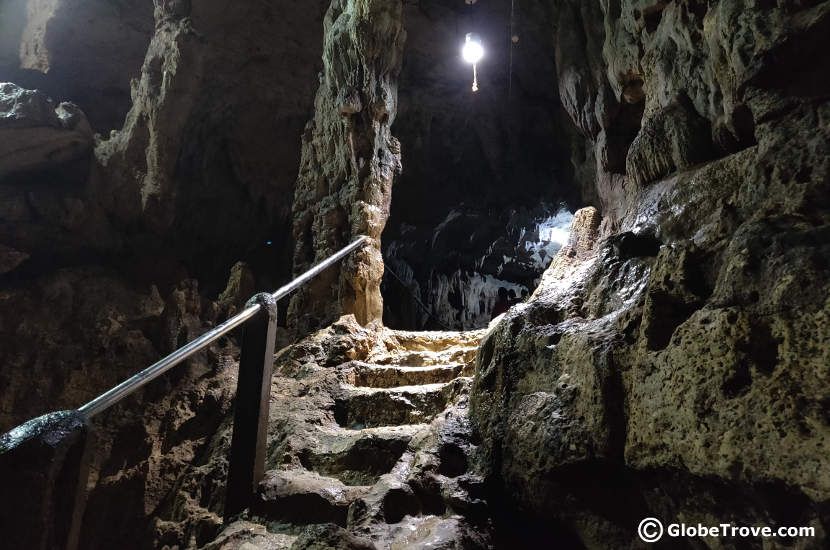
pixel 122 390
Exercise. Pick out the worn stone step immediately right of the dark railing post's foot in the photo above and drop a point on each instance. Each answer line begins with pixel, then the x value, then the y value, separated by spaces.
pixel 301 497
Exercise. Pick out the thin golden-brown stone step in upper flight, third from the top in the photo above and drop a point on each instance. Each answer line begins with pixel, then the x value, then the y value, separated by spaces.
pixel 392 376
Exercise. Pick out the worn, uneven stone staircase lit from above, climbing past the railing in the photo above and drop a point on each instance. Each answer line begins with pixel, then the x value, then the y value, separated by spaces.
pixel 369 445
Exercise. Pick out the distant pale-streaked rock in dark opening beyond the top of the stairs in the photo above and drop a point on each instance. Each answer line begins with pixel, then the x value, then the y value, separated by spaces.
pixel 449 276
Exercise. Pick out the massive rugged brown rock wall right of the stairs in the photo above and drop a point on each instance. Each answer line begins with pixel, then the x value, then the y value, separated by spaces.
pixel 672 362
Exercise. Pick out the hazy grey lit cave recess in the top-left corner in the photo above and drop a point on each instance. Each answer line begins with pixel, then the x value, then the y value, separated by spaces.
pixel 85 51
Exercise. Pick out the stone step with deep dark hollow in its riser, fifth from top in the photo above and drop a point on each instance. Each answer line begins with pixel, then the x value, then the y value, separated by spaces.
pixel 358 457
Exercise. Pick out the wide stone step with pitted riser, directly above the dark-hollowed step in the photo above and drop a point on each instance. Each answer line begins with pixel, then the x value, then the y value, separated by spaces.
pixel 361 407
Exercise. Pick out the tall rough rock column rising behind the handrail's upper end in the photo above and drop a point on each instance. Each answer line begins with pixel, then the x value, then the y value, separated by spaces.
pixel 349 161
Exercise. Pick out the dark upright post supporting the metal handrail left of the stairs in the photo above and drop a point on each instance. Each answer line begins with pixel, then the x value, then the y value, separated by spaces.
pixel 253 391
